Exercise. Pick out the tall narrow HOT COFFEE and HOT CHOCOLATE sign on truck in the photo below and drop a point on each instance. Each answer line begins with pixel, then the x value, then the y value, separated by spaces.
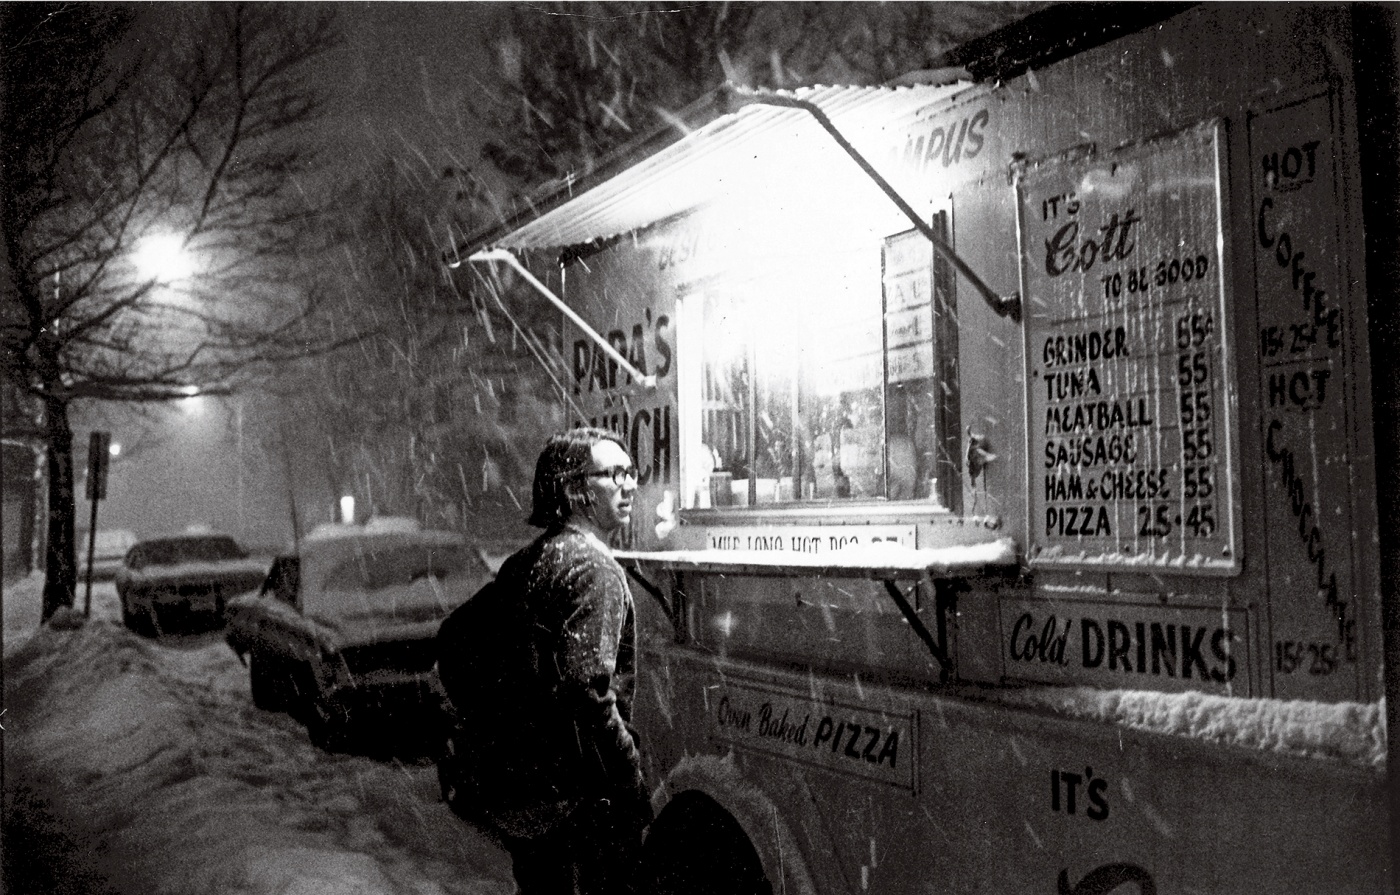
pixel 1305 335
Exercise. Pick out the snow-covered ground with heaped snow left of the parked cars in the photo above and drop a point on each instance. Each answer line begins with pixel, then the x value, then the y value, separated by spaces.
pixel 148 770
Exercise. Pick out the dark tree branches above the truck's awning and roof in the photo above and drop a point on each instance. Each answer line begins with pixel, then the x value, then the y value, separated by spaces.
pixel 582 79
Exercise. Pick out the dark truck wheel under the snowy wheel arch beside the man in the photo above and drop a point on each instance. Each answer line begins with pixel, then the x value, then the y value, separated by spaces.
pixel 696 848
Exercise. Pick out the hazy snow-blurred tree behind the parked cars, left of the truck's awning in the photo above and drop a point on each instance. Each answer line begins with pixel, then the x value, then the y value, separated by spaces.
pixel 423 414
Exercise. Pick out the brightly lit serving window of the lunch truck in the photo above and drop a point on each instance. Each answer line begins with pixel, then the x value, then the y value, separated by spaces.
pixel 828 379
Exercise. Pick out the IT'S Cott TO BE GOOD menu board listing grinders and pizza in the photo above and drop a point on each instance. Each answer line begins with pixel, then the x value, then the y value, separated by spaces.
pixel 1132 449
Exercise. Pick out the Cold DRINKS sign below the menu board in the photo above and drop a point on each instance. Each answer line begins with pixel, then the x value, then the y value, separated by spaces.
pixel 1130 646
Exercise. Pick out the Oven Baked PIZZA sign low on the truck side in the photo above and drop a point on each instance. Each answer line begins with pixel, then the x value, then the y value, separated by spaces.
pixel 845 739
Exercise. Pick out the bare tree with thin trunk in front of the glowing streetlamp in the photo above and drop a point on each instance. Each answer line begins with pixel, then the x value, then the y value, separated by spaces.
pixel 195 148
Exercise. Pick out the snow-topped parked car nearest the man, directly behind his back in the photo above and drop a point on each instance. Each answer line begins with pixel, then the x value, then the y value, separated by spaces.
pixel 342 631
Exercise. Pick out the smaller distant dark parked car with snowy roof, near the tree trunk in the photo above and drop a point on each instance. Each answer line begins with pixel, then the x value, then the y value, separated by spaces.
pixel 197 574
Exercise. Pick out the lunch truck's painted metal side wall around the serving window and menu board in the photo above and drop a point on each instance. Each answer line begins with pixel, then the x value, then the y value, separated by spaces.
pixel 989 805
